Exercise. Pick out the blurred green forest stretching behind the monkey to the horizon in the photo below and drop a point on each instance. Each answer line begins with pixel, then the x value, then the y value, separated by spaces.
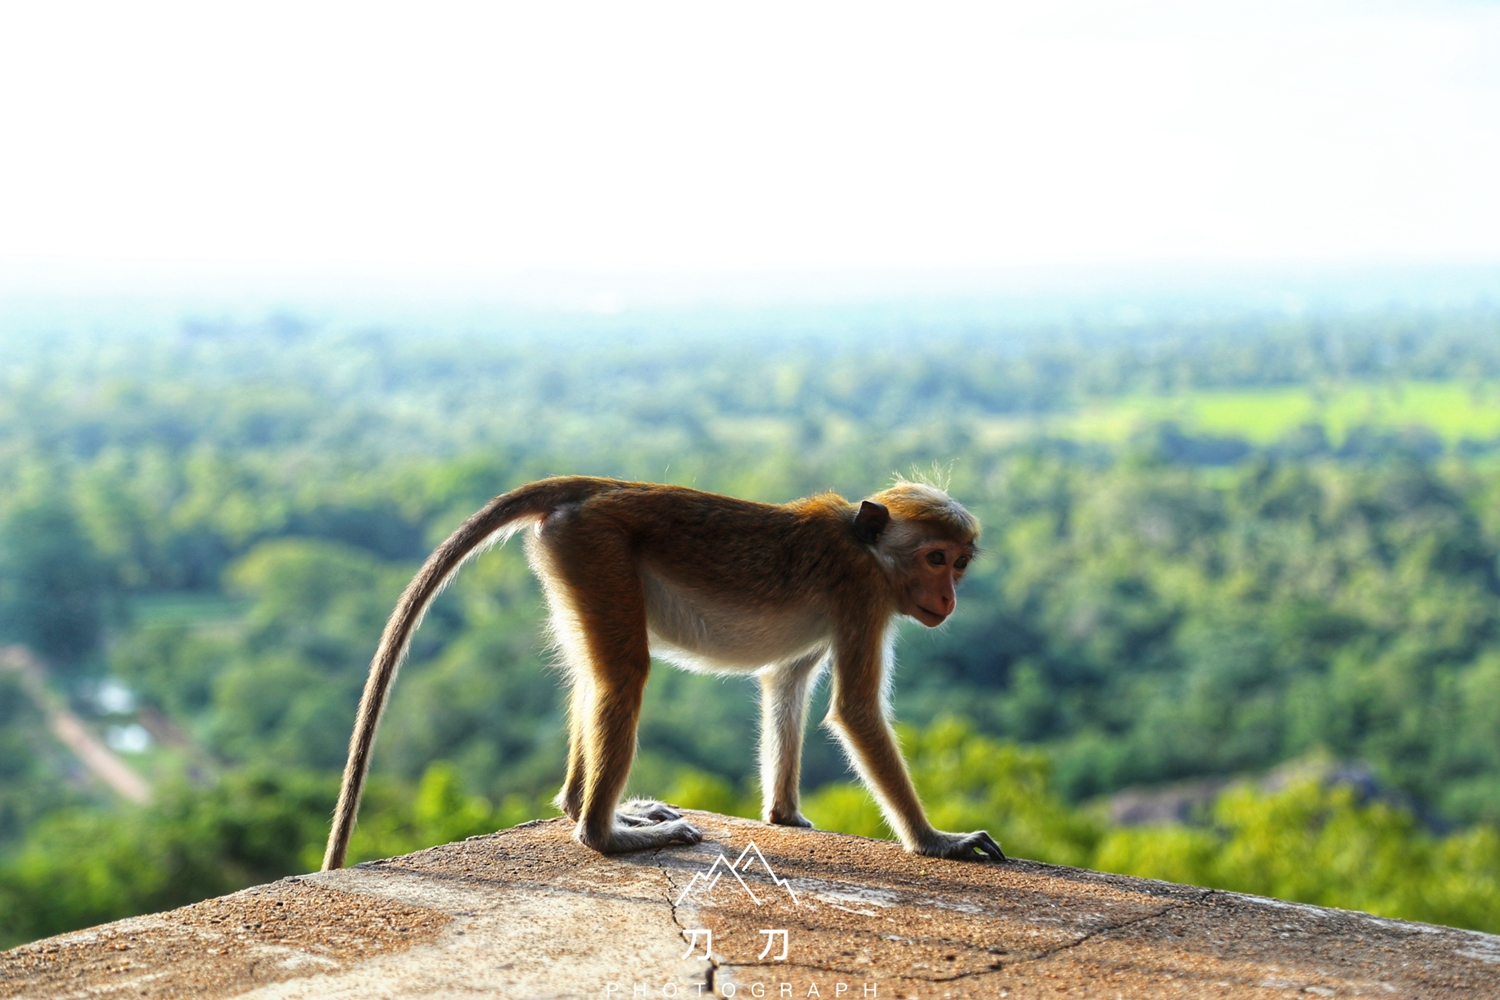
pixel 1211 548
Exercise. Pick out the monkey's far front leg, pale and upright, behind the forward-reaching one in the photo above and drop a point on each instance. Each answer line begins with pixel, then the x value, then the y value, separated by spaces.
pixel 785 692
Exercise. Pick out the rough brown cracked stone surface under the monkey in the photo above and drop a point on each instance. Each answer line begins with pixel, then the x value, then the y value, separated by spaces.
pixel 530 914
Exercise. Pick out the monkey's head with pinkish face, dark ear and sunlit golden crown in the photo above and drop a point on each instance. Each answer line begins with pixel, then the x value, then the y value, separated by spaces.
pixel 928 540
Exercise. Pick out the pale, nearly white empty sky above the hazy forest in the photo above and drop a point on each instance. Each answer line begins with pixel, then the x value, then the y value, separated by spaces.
pixel 475 139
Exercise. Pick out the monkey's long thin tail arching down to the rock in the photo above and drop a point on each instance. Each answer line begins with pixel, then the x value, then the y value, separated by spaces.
pixel 493 524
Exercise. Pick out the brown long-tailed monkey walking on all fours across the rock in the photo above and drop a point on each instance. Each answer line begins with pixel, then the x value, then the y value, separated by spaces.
pixel 712 584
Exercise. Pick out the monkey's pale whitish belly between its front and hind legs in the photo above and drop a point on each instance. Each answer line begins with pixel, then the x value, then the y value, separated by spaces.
pixel 703 635
